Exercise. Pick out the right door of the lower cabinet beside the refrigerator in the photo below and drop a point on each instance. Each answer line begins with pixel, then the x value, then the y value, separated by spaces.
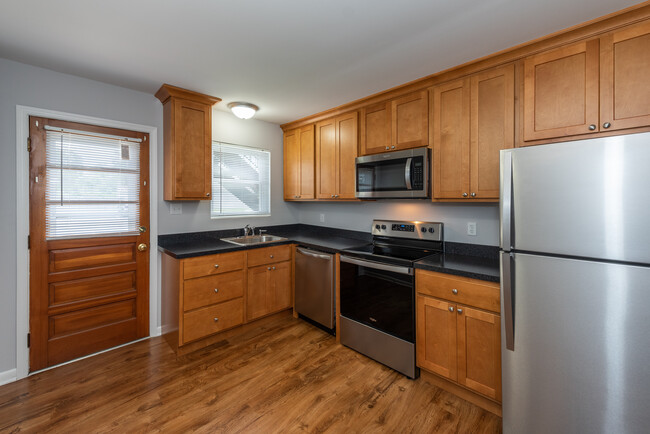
pixel 479 351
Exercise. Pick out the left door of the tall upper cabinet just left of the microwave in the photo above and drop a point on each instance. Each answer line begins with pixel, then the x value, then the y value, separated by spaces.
pixel 326 159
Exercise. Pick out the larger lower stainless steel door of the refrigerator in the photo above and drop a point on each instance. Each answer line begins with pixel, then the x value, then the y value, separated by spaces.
pixel 582 348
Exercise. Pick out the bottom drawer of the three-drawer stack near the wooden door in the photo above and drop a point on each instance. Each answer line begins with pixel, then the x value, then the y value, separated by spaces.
pixel 212 319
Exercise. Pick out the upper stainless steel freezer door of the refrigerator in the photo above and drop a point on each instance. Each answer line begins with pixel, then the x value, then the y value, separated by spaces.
pixel 585 198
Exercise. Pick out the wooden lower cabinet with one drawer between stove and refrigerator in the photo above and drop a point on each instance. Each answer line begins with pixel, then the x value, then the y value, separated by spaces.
pixel 458 342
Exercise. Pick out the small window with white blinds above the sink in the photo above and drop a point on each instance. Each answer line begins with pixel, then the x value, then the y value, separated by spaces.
pixel 241 181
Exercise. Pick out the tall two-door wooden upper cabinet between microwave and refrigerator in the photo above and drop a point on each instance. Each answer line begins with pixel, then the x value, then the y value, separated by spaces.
pixel 472 120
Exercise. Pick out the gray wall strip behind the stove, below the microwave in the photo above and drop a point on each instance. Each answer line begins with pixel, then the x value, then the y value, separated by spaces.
pixel 358 216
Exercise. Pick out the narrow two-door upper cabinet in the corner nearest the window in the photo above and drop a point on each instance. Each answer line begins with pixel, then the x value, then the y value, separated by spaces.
pixel 299 163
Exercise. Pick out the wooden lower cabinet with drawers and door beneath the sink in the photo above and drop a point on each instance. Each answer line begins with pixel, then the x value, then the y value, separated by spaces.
pixel 206 295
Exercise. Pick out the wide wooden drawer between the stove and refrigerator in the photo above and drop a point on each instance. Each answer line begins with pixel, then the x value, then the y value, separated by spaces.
pixel 472 292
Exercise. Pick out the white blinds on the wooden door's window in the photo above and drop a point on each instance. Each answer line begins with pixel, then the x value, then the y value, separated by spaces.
pixel 92 184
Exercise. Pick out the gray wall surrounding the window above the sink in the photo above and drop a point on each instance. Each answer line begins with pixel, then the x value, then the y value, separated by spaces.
pixel 196 215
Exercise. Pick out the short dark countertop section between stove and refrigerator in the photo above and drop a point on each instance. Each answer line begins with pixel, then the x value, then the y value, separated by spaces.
pixel 467 260
